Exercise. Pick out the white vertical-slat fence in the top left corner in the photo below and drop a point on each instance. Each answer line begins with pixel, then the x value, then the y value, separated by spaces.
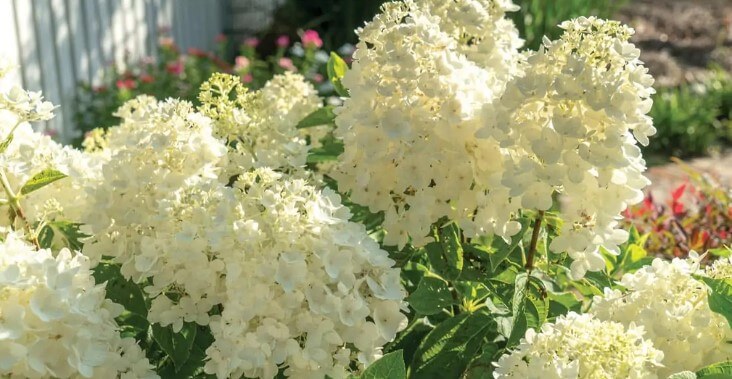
pixel 58 43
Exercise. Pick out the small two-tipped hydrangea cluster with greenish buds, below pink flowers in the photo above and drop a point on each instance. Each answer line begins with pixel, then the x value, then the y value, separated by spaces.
pixel 260 127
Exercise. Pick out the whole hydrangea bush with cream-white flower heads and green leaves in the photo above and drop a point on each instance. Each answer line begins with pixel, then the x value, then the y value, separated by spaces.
pixel 457 216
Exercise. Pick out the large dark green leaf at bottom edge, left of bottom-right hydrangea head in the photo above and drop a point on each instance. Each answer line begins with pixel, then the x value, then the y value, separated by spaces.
pixel 449 348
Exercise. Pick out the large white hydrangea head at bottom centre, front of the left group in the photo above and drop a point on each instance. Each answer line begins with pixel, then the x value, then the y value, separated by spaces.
pixel 302 285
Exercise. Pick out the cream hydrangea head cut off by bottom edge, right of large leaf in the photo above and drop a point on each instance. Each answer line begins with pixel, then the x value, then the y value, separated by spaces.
pixel 579 346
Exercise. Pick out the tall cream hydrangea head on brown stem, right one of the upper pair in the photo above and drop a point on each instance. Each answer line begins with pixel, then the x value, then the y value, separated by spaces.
pixel 572 122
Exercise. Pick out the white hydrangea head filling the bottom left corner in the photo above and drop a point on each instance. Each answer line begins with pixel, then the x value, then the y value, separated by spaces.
pixel 55 322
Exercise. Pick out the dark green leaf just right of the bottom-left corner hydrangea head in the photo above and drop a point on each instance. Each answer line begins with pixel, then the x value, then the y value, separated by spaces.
pixel 120 290
